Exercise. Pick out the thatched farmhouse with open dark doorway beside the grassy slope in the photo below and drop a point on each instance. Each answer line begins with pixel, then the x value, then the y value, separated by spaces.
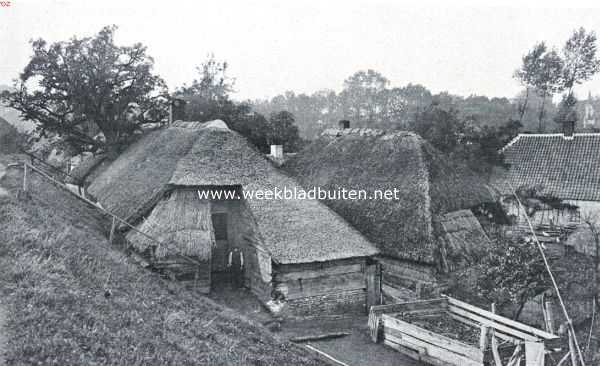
pixel 298 251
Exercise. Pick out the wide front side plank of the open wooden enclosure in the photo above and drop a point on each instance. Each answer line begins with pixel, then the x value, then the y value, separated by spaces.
pixel 396 326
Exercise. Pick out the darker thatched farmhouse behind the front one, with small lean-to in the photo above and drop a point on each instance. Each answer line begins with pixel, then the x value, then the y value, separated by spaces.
pixel 415 233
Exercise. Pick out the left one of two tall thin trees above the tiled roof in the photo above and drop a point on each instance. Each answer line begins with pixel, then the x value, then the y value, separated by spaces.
pixel 542 70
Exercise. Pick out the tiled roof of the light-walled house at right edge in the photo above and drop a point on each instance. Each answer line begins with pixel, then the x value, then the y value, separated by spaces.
pixel 564 167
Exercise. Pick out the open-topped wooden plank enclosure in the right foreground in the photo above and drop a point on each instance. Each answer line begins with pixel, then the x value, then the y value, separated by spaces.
pixel 498 336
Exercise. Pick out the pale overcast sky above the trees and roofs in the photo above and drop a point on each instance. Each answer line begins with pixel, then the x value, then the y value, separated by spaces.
pixel 305 46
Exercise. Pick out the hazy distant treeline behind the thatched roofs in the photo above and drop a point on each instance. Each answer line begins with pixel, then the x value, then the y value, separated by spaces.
pixel 367 101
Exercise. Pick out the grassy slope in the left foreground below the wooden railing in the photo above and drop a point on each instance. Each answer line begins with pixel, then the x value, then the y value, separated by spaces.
pixel 55 266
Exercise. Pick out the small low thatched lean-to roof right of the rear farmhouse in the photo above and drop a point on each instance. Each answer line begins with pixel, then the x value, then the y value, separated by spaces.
pixel 464 241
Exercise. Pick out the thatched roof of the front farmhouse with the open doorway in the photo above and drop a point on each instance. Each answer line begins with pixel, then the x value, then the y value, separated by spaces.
pixel 208 155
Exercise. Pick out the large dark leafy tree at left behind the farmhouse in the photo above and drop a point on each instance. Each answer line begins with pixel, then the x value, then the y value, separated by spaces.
pixel 83 87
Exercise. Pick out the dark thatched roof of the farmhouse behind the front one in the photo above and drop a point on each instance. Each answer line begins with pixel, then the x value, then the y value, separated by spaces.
pixel 367 159
